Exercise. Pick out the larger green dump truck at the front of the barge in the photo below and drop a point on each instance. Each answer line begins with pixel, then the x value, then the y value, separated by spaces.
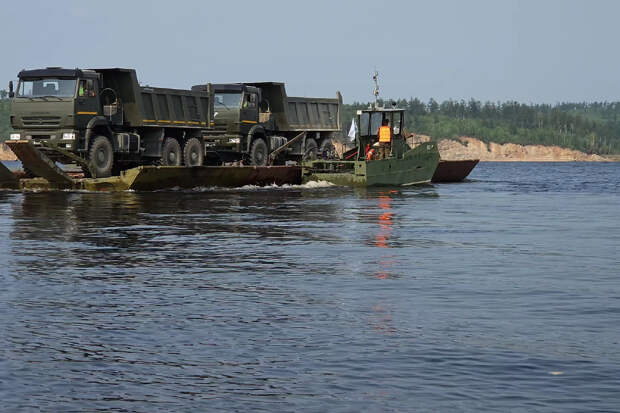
pixel 104 121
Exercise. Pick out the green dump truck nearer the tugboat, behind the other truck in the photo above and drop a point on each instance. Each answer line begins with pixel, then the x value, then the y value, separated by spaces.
pixel 259 124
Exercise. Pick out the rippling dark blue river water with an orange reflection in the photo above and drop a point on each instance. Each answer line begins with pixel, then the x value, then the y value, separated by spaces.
pixel 497 294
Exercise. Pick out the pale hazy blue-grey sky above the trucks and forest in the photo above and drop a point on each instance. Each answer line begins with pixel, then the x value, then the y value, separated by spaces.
pixel 530 51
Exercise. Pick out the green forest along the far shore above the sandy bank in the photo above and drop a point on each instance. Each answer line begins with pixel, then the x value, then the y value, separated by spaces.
pixel 588 127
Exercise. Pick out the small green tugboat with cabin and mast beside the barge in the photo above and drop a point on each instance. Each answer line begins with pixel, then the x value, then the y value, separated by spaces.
pixel 379 158
